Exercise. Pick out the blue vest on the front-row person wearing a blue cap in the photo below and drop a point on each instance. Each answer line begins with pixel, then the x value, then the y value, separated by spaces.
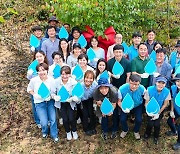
pixel 160 97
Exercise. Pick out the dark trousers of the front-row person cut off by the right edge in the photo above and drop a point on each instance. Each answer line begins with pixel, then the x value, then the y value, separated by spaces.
pixel 173 126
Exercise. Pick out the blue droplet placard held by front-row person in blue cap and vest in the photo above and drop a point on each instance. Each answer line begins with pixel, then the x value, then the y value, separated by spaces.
pixel 152 107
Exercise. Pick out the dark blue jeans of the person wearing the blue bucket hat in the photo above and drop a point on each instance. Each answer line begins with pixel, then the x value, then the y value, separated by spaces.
pixel 105 121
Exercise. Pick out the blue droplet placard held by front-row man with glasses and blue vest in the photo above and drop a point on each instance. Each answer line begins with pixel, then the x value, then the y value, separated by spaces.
pixel 127 102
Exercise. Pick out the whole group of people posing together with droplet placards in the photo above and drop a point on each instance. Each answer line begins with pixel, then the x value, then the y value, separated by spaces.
pixel 163 85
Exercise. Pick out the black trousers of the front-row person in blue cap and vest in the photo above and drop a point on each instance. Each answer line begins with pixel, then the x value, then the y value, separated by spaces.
pixel 155 124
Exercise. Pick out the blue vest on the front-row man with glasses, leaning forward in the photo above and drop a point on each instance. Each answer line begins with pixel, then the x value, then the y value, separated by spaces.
pixel 137 95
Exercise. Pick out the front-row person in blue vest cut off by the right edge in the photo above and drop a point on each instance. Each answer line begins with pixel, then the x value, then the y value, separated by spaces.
pixel 174 113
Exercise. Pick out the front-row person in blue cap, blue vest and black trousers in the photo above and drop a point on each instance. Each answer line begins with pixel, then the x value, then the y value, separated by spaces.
pixel 162 96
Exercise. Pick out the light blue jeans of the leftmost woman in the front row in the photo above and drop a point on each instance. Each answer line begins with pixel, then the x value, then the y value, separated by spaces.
pixel 46 112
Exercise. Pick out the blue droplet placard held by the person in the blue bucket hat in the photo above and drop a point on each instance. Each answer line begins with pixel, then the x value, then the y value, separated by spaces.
pixel 106 107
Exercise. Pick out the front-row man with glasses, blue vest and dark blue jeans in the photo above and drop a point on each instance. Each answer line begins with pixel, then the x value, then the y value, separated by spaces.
pixel 136 91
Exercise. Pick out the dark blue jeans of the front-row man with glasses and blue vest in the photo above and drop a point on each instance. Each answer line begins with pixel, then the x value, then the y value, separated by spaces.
pixel 138 119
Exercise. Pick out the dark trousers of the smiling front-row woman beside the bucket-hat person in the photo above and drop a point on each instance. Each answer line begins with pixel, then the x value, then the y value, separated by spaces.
pixel 88 113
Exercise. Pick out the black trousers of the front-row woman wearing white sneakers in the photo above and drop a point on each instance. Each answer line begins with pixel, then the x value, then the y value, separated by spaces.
pixel 68 116
